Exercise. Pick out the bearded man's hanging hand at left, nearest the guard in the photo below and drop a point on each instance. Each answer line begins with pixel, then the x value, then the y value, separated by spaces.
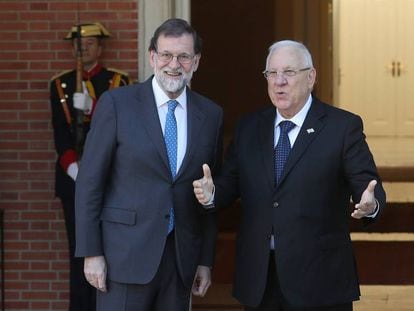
pixel 95 272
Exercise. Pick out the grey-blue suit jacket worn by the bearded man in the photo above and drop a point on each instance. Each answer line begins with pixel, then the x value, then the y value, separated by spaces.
pixel 124 188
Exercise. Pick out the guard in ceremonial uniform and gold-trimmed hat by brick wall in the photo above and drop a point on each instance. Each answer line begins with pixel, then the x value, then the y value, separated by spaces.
pixel 72 111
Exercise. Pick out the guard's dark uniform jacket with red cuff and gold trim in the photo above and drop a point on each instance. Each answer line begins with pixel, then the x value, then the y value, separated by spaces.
pixel 62 87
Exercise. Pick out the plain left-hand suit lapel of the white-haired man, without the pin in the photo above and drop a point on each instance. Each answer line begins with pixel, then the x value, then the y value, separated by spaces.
pixel 266 138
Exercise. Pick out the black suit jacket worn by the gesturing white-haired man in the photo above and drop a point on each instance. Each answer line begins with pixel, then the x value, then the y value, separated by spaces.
pixel 308 212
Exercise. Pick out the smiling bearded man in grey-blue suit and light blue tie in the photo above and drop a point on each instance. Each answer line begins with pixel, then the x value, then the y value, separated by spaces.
pixel 147 242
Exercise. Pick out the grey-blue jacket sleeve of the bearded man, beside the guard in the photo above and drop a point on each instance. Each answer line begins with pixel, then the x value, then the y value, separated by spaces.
pixel 92 178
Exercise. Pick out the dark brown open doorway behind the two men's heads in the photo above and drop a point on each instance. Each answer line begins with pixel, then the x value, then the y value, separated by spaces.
pixel 237 34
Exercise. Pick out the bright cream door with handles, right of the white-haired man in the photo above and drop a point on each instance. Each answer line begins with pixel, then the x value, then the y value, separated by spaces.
pixel 373 76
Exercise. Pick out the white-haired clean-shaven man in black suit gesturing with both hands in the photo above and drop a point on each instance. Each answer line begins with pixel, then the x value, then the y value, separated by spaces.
pixel 295 182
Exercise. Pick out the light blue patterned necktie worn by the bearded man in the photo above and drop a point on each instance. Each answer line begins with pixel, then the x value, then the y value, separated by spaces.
pixel 170 137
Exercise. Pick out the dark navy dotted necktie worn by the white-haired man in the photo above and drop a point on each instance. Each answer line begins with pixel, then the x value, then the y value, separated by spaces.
pixel 282 148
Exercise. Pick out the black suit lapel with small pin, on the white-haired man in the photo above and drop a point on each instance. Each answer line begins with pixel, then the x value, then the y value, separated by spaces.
pixel 311 128
